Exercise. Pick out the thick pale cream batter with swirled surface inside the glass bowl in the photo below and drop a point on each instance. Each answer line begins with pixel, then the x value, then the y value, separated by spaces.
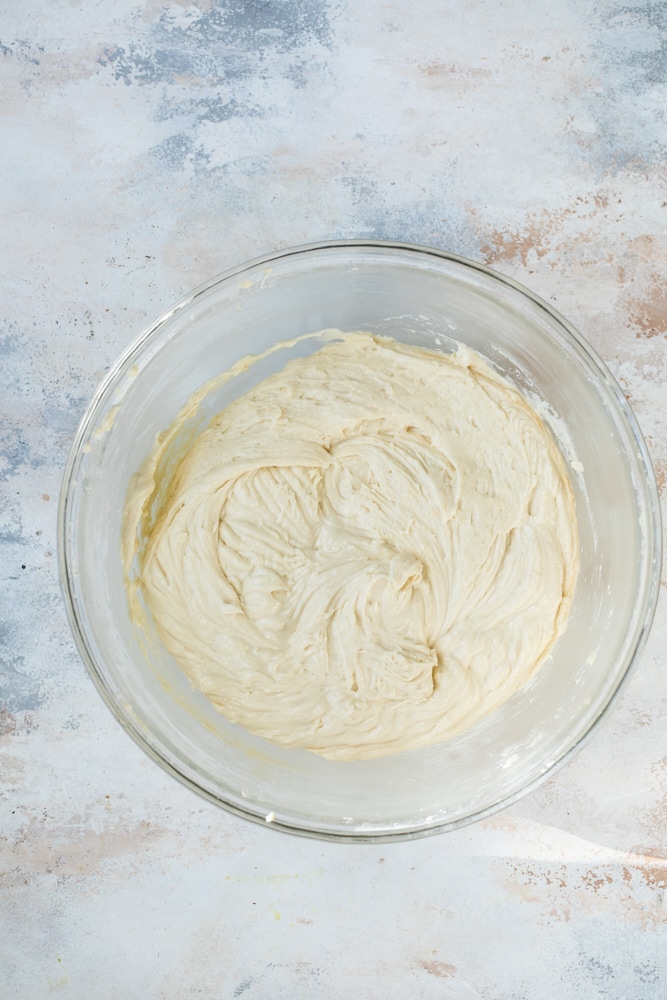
pixel 366 553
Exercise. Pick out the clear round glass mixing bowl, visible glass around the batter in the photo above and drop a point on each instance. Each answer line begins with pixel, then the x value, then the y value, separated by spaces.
pixel 423 297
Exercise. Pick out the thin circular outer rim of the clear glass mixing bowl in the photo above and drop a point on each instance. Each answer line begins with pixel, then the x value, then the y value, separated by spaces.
pixel 652 538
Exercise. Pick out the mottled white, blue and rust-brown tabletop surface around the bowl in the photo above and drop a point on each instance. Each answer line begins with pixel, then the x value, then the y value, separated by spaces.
pixel 144 147
